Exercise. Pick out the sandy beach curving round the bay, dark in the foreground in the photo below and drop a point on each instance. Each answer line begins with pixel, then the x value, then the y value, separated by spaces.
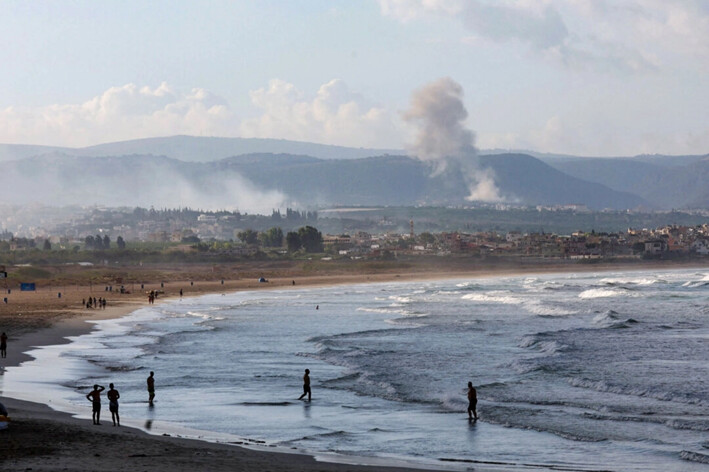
pixel 42 439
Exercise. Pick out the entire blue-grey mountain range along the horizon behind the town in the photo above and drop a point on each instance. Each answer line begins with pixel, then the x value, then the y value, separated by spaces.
pixel 261 174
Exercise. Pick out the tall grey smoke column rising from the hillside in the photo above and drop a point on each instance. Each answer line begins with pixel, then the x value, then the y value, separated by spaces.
pixel 443 141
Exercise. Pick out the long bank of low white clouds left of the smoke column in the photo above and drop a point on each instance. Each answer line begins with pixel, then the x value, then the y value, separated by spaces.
pixel 333 115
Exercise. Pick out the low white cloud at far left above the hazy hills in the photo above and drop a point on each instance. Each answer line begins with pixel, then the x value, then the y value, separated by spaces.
pixel 119 113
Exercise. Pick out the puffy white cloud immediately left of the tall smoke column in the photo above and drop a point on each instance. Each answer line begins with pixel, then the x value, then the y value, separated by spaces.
pixel 334 115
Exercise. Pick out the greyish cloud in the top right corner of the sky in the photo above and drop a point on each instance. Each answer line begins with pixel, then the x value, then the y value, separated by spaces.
pixel 622 36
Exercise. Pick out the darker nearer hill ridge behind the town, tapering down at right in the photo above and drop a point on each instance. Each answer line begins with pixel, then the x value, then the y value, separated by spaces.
pixel 264 181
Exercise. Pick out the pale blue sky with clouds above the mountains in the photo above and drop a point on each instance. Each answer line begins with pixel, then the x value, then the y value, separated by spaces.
pixel 583 77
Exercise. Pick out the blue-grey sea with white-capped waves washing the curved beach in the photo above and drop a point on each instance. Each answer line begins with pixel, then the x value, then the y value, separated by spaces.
pixel 574 371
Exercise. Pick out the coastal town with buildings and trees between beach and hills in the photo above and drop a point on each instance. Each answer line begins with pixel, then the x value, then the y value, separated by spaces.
pixel 234 235
